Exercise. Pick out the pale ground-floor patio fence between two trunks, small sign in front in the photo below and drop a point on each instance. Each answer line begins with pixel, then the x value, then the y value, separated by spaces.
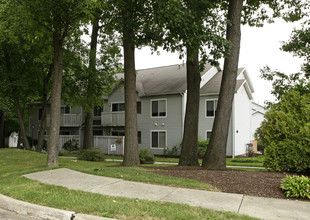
pixel 104 144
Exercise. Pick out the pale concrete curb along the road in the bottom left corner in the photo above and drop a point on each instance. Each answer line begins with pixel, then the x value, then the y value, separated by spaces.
pixel 43 212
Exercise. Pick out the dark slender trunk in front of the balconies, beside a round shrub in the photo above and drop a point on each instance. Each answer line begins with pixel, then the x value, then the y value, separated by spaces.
pixel 88 131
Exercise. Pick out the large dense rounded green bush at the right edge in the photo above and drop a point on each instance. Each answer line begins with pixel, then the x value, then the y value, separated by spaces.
pixel 286 134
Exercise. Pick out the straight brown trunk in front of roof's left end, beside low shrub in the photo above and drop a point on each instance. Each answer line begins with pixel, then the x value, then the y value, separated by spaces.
pixel 131 153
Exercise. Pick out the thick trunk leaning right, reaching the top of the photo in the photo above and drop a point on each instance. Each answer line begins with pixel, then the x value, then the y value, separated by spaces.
pixel 215 156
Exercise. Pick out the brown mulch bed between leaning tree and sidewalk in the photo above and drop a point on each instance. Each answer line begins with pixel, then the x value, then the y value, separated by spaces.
pixel 262 184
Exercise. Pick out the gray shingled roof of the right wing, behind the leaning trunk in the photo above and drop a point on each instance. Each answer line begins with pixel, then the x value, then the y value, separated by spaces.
pixel 214 84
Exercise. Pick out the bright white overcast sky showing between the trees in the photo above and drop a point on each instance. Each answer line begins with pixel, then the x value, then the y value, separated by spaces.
pixel 259 47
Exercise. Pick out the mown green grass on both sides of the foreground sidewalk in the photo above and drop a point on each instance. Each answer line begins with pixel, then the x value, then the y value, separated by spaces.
pixel 14 163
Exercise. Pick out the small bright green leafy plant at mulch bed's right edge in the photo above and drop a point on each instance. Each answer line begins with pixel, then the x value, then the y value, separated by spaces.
pixel 296 186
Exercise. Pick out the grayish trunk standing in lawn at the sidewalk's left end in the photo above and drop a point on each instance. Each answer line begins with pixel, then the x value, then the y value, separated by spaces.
pixel 53 141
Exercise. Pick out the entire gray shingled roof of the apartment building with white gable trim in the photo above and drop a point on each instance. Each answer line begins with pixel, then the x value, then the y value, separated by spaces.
pixel 172 80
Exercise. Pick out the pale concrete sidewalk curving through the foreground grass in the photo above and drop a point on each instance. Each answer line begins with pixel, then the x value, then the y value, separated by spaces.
pixel 264 208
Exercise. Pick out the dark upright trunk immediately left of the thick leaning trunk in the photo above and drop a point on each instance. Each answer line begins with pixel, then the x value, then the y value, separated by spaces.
pixel 189 152
